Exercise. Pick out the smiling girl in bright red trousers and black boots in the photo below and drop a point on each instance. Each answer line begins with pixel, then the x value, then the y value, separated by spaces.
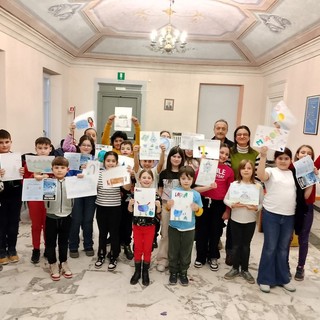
pixel 143 232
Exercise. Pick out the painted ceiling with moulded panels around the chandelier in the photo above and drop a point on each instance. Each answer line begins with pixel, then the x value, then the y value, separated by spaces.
pixel 220 32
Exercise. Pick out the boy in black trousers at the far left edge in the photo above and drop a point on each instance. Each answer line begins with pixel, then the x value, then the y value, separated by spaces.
pixel 10 206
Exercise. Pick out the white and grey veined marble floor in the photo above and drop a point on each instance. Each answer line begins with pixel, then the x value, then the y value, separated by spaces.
pixel 27 292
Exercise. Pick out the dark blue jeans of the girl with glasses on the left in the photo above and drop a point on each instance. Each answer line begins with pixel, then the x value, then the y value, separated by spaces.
pixel 82 215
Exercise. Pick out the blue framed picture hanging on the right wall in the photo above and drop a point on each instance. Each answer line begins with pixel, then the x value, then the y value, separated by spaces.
pixel 311 118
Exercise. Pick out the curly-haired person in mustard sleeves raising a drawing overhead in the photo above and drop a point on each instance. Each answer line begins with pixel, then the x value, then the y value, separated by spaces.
pixel 118 136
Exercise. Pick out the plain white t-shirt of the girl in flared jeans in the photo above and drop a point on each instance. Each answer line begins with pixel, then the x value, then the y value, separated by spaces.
pixel 281 192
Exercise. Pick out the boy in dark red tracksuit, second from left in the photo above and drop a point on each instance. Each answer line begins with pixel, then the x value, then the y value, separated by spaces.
pixel 37 210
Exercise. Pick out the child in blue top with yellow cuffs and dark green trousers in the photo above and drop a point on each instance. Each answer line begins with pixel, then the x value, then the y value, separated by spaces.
pixel 181 232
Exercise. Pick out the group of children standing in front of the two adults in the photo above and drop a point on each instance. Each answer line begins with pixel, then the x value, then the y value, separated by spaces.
pixel 61 220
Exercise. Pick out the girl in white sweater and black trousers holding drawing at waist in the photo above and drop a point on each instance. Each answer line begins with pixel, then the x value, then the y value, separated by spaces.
pixel 243 217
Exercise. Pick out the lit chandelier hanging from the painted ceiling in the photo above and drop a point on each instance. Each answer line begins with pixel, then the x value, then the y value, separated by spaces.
pixel 168 39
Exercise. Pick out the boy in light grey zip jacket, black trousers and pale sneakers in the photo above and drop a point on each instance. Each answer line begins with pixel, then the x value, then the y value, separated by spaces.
pixel 58 223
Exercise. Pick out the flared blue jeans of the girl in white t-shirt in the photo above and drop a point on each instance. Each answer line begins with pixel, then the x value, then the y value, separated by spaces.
pixel 273 267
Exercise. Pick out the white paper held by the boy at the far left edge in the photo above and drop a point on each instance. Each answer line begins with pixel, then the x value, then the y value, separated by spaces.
pixel 11 163
